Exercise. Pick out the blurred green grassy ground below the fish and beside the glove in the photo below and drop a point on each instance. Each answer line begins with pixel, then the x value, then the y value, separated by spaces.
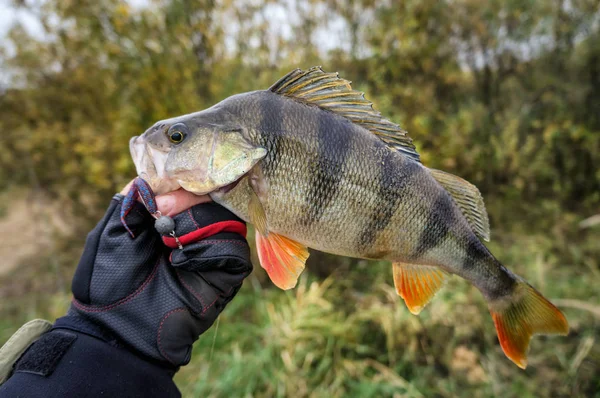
pixel 349 334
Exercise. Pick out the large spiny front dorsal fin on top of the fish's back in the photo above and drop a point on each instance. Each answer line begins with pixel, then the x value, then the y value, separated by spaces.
pixel 330 92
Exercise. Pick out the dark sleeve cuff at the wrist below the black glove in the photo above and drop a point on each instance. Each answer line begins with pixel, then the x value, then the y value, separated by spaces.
pixel 67 362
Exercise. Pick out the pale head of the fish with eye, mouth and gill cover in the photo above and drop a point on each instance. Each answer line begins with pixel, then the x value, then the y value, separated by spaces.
pixel 197 155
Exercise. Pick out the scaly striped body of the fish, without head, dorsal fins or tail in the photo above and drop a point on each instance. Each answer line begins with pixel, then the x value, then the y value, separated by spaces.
pixel 334 186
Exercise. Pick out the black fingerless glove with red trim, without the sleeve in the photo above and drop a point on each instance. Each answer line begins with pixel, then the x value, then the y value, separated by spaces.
pixel 154 299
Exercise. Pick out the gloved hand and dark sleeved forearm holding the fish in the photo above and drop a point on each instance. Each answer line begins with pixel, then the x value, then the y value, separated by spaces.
pixel 139 304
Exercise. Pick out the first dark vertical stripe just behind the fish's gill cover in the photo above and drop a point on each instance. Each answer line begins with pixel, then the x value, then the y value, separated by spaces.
pixel 270 127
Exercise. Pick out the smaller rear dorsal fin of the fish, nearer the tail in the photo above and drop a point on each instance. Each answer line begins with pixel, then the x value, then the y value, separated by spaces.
pixel 469 199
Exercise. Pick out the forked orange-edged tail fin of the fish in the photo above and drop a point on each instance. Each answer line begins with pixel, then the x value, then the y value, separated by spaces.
pixel 525 313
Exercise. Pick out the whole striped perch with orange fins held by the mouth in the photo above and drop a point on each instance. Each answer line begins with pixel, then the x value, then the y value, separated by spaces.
pixel 311 164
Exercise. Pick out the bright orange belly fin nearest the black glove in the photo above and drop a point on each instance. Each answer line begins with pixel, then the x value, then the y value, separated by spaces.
pixel 282 258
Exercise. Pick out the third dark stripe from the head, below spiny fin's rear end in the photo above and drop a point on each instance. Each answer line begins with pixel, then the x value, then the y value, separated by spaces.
pixel 392 190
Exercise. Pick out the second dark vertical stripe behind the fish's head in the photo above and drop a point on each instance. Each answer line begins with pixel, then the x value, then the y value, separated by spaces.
pixel 334 141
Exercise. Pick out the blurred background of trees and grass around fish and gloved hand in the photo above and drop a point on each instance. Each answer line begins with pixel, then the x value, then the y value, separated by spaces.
pixel 505 94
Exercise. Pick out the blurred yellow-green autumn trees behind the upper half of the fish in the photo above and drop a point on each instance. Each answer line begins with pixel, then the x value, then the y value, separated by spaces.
pixel 505 94
